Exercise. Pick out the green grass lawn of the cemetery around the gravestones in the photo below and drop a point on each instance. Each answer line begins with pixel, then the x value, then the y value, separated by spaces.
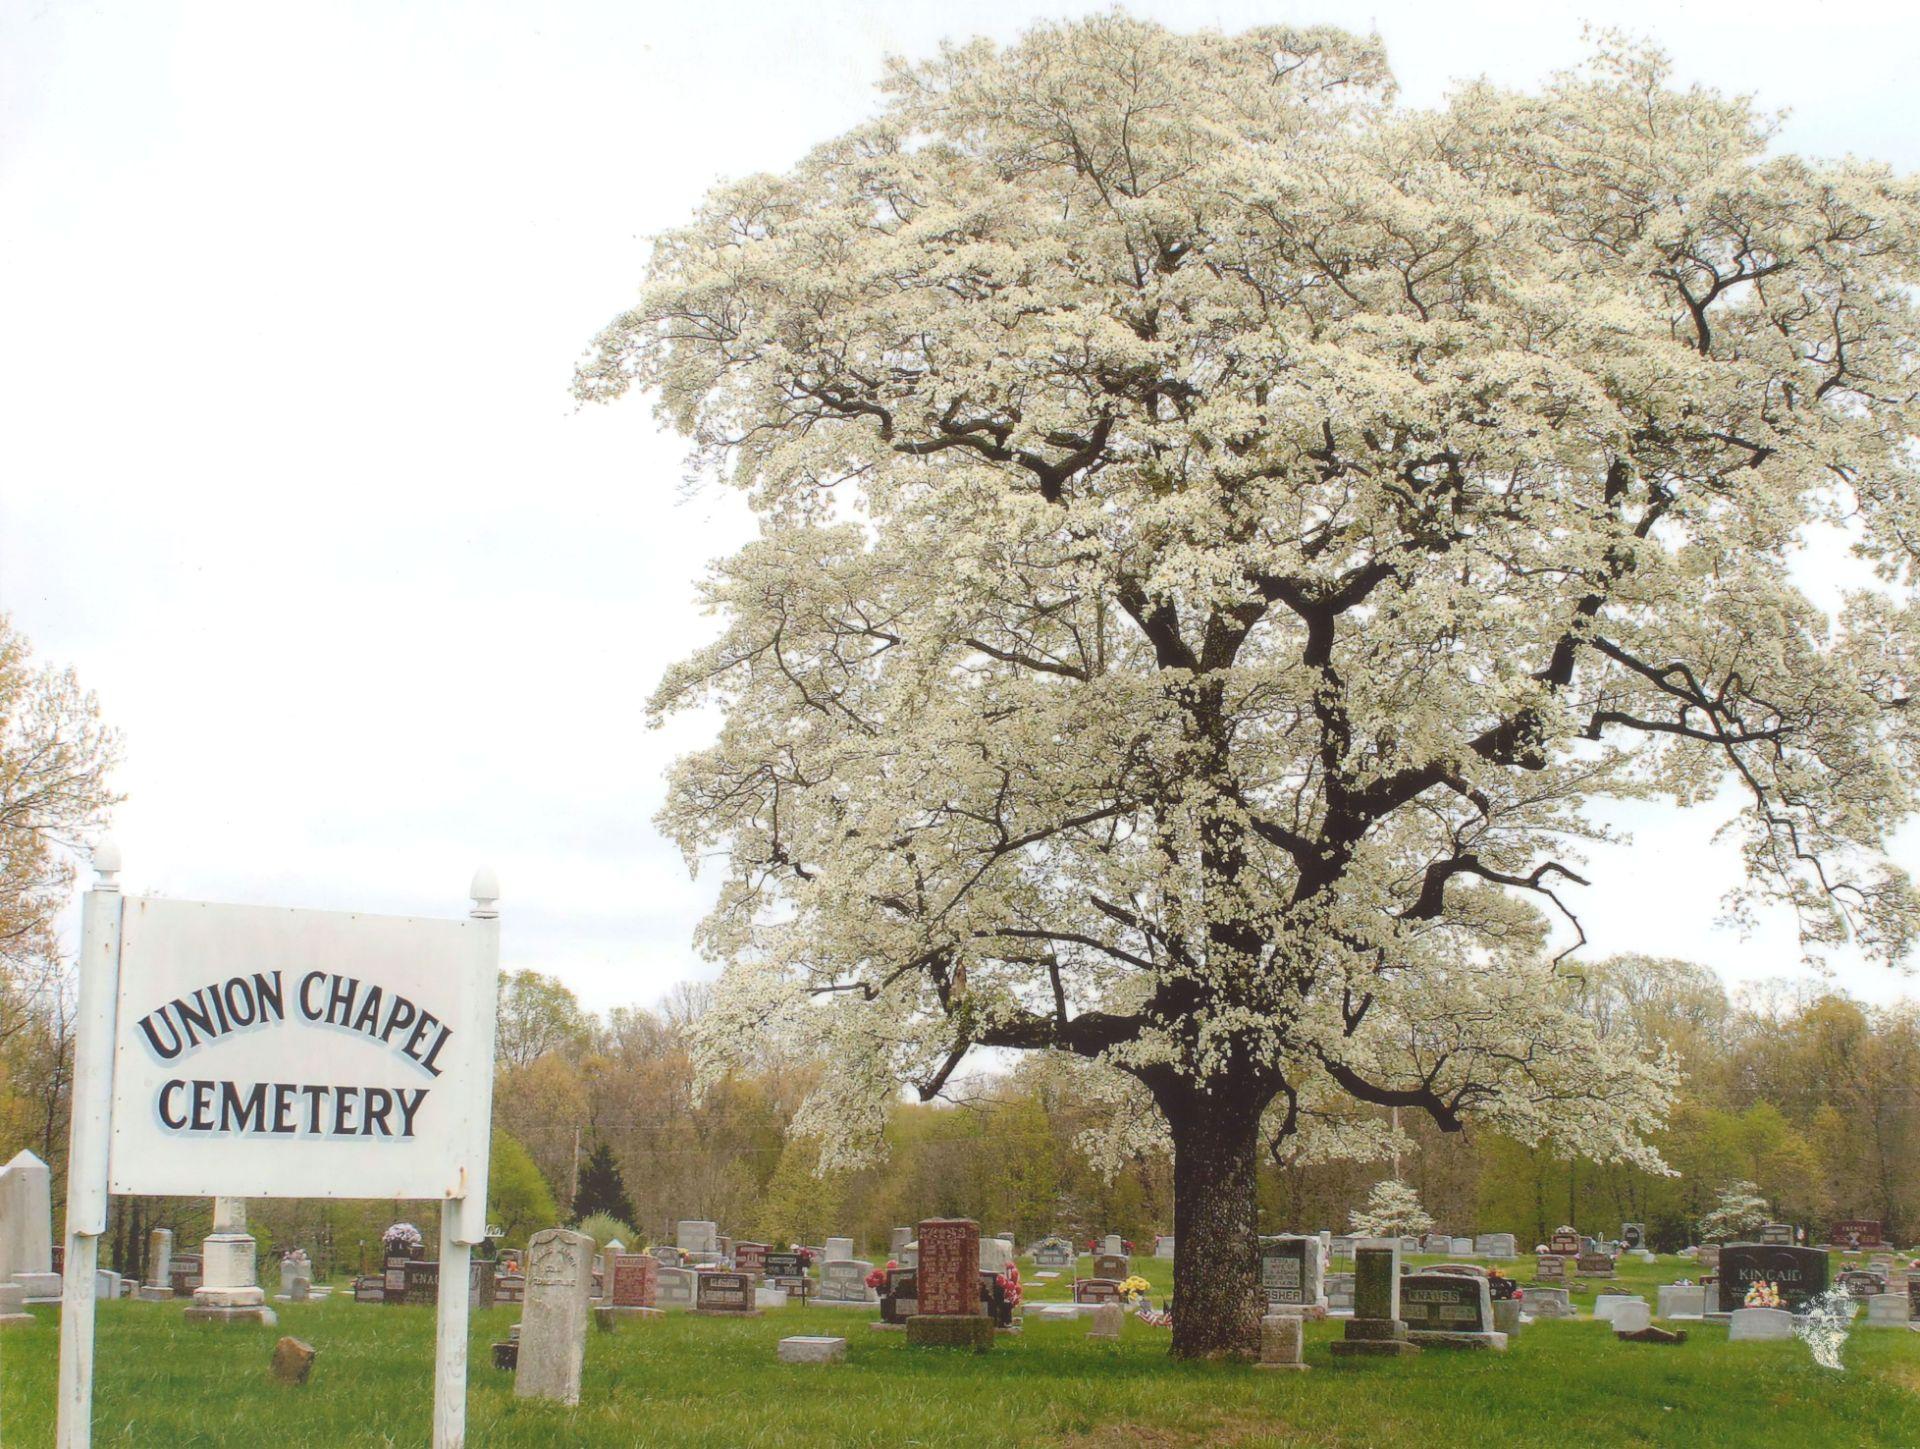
pixel 690 1381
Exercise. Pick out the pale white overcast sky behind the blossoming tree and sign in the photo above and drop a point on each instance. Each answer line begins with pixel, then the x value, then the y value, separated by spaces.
pixel 289 471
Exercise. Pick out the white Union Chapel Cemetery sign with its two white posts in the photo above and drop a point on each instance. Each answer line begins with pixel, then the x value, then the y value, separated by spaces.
pixel 264 1053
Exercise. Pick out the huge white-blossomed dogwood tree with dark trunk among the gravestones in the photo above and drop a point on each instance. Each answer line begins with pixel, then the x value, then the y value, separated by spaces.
pixel 1220 531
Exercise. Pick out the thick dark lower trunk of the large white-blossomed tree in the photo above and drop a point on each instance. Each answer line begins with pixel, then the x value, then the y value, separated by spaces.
pixel 1216 1289
